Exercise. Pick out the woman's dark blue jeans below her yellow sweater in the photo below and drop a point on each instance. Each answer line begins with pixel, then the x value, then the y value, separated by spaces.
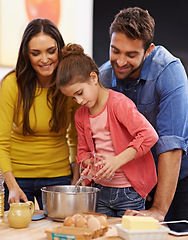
pixel 32 187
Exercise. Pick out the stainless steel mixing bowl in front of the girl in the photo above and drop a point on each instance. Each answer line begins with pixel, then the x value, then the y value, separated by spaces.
pixel 62 201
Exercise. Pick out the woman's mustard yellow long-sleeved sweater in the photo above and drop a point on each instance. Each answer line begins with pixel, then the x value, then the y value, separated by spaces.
pixel 47 153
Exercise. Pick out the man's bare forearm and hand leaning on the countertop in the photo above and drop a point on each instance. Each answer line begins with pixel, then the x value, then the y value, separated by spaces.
pixel 168 172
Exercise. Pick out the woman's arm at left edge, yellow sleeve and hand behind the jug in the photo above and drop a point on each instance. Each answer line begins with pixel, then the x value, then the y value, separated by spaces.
pixel 8 100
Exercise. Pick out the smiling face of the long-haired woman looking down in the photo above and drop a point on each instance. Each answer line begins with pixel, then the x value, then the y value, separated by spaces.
pixel 43 55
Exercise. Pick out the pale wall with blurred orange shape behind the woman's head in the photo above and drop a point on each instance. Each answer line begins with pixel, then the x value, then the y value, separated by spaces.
pixel 74 19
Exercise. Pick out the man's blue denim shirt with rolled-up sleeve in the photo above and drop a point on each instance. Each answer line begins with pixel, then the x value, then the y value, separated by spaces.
pixel 161 95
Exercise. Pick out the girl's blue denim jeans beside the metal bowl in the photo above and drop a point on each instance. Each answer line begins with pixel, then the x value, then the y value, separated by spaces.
pixel 115 201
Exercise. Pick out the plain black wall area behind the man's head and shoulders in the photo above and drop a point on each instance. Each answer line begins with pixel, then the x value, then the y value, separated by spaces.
pixel 171 25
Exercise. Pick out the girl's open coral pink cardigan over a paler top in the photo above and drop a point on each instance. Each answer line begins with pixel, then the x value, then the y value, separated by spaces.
pixel 128 128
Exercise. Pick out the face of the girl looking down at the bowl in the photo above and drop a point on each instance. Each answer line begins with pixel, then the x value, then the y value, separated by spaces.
pixel 84 93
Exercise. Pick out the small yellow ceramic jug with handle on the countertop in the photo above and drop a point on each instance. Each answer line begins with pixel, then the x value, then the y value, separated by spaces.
pixel 19 215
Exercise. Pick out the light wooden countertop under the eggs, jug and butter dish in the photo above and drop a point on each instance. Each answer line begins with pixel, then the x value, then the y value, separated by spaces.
pixel 36 230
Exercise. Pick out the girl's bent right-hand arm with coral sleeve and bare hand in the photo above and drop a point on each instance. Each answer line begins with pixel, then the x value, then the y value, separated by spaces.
pixel 143 138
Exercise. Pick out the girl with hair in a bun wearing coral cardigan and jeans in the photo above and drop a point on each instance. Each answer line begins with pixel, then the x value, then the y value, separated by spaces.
pixel 109 124
